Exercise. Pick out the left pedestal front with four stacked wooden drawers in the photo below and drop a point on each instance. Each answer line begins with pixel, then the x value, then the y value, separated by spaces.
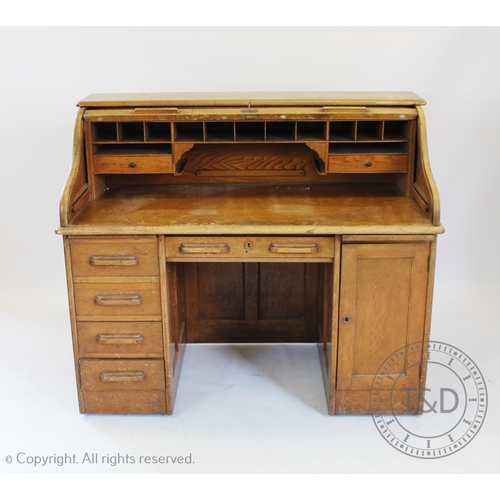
pixel 118 322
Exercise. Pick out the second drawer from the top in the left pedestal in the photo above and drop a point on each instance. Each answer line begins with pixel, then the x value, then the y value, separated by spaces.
pixel 102 300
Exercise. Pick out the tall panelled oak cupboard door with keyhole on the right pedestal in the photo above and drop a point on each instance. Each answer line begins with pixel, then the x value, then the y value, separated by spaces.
pixel 382 308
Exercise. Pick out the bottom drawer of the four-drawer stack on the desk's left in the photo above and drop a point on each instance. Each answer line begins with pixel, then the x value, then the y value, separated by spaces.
pixel 123 386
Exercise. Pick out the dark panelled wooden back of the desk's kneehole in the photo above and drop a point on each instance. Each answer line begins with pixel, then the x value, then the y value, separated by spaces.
pixel 250 302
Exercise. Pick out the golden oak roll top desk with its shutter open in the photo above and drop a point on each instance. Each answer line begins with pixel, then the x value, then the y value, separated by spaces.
pixel 304 217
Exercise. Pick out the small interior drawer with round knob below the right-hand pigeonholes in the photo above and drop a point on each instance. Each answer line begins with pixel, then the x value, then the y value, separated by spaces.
pixel 368 163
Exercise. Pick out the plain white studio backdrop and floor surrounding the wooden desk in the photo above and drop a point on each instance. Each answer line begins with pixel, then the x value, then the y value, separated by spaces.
pixel 45 71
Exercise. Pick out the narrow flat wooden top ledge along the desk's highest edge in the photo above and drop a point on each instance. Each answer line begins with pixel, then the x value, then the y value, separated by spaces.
pixel 256 98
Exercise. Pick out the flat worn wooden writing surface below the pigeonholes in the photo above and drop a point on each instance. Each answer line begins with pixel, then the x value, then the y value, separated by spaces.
pixel 247 209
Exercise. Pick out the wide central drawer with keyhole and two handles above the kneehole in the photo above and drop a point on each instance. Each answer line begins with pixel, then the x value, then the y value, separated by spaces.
pixel 285 249
